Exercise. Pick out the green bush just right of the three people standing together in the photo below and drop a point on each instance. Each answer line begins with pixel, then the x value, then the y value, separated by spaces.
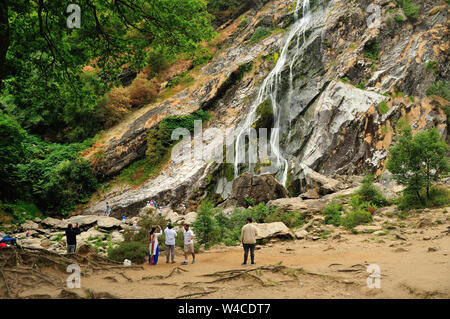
pixel 205 227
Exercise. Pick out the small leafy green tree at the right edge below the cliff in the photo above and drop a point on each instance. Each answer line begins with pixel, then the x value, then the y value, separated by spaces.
pixel 417 162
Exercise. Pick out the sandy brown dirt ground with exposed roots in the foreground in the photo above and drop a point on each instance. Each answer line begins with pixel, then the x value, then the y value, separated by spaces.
pixel 414 266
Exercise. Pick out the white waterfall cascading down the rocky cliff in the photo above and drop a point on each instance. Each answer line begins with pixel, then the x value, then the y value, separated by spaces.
pixel 269 91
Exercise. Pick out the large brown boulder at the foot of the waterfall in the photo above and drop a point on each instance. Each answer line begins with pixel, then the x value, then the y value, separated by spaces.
pixel 260 188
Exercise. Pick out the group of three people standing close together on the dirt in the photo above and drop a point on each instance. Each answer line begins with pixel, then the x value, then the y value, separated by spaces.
pixel 170 238
